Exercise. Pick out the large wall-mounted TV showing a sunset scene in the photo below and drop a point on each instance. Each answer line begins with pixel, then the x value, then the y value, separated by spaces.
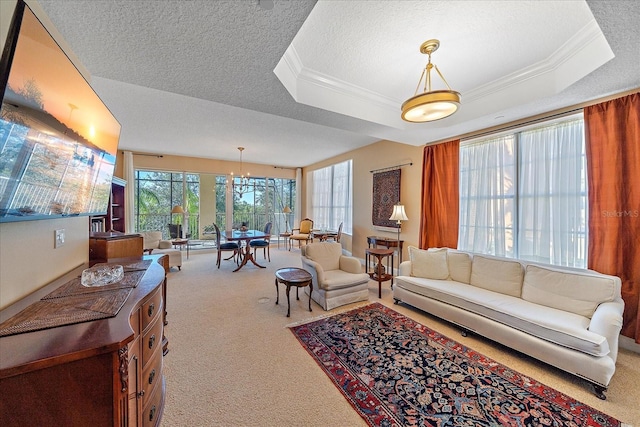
pixel 58 141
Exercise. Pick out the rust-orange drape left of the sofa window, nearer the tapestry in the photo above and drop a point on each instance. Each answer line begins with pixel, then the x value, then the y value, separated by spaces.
pixel 440 200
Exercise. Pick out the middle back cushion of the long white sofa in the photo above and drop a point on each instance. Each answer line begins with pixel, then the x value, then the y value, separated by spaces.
pixel 498 275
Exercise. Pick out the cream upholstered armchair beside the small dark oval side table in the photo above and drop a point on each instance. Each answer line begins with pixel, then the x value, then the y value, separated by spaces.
pixel 337 279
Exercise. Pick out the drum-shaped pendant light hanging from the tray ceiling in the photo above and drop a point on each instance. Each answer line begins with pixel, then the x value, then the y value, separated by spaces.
pixel 430 105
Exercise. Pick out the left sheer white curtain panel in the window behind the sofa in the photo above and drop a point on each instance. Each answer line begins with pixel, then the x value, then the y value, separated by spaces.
pixel 487 190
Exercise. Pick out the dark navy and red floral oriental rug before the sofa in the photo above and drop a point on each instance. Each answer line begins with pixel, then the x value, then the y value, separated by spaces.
pixel 397 372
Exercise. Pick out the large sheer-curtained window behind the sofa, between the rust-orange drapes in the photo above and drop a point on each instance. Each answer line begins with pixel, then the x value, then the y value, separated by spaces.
pixel 524 194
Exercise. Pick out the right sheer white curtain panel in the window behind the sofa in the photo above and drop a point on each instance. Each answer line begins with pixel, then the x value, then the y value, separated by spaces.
pixel 552 193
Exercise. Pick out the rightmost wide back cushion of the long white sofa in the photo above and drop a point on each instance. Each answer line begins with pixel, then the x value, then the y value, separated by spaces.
pixel 579 293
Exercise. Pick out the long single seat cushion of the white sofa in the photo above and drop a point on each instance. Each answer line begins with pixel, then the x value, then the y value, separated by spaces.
pixel 557 326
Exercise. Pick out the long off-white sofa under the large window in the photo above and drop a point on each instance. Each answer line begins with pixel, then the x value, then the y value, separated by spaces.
pixel 569 318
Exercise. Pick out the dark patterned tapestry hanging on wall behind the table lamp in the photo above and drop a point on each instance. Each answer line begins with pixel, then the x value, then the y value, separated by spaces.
pixel 386 193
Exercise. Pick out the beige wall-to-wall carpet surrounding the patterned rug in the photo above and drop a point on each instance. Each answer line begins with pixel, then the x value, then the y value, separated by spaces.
pixel 232 360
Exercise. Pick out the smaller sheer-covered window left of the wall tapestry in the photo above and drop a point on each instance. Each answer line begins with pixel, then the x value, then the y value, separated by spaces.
pixel 331 197
